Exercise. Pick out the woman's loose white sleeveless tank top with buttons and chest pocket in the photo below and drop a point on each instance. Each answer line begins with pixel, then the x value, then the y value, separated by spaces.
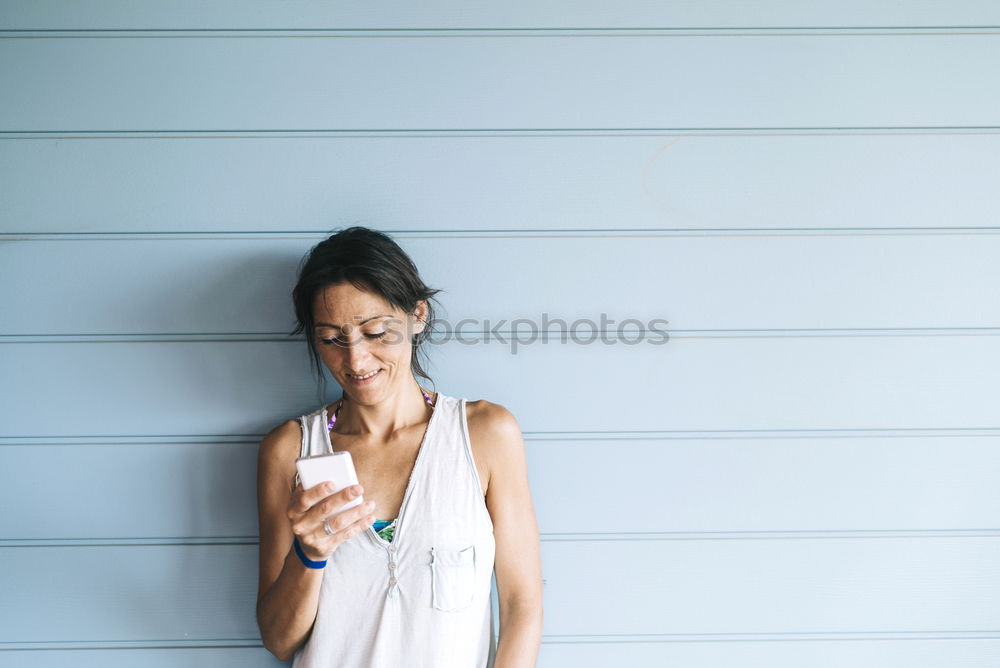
pixel 422 600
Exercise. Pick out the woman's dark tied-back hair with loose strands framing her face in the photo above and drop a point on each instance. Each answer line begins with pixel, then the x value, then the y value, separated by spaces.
pixel 370 261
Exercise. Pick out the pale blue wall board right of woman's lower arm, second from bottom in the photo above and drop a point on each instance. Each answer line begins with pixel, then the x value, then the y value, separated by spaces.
pixel 772 586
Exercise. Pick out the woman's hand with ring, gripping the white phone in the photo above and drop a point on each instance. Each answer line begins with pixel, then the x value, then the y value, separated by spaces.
pixel 308 507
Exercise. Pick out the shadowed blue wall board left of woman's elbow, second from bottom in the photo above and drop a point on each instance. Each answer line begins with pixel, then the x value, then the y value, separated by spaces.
pixel 129 593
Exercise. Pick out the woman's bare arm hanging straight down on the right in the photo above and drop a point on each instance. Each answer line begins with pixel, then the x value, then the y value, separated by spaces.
pixel 518 565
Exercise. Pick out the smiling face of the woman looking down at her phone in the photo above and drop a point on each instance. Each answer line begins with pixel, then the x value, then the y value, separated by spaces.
pixel 364 341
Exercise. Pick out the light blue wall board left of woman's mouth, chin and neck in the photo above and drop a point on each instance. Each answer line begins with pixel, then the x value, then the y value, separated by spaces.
pixel 140 389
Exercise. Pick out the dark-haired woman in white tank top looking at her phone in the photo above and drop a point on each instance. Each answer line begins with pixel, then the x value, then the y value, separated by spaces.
pixel 447 478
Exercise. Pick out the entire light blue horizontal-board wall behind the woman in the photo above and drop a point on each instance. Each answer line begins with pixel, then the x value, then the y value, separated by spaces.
pixel 804 474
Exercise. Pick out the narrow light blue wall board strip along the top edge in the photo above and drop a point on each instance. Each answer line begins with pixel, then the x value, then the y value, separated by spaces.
pixel 356 14
